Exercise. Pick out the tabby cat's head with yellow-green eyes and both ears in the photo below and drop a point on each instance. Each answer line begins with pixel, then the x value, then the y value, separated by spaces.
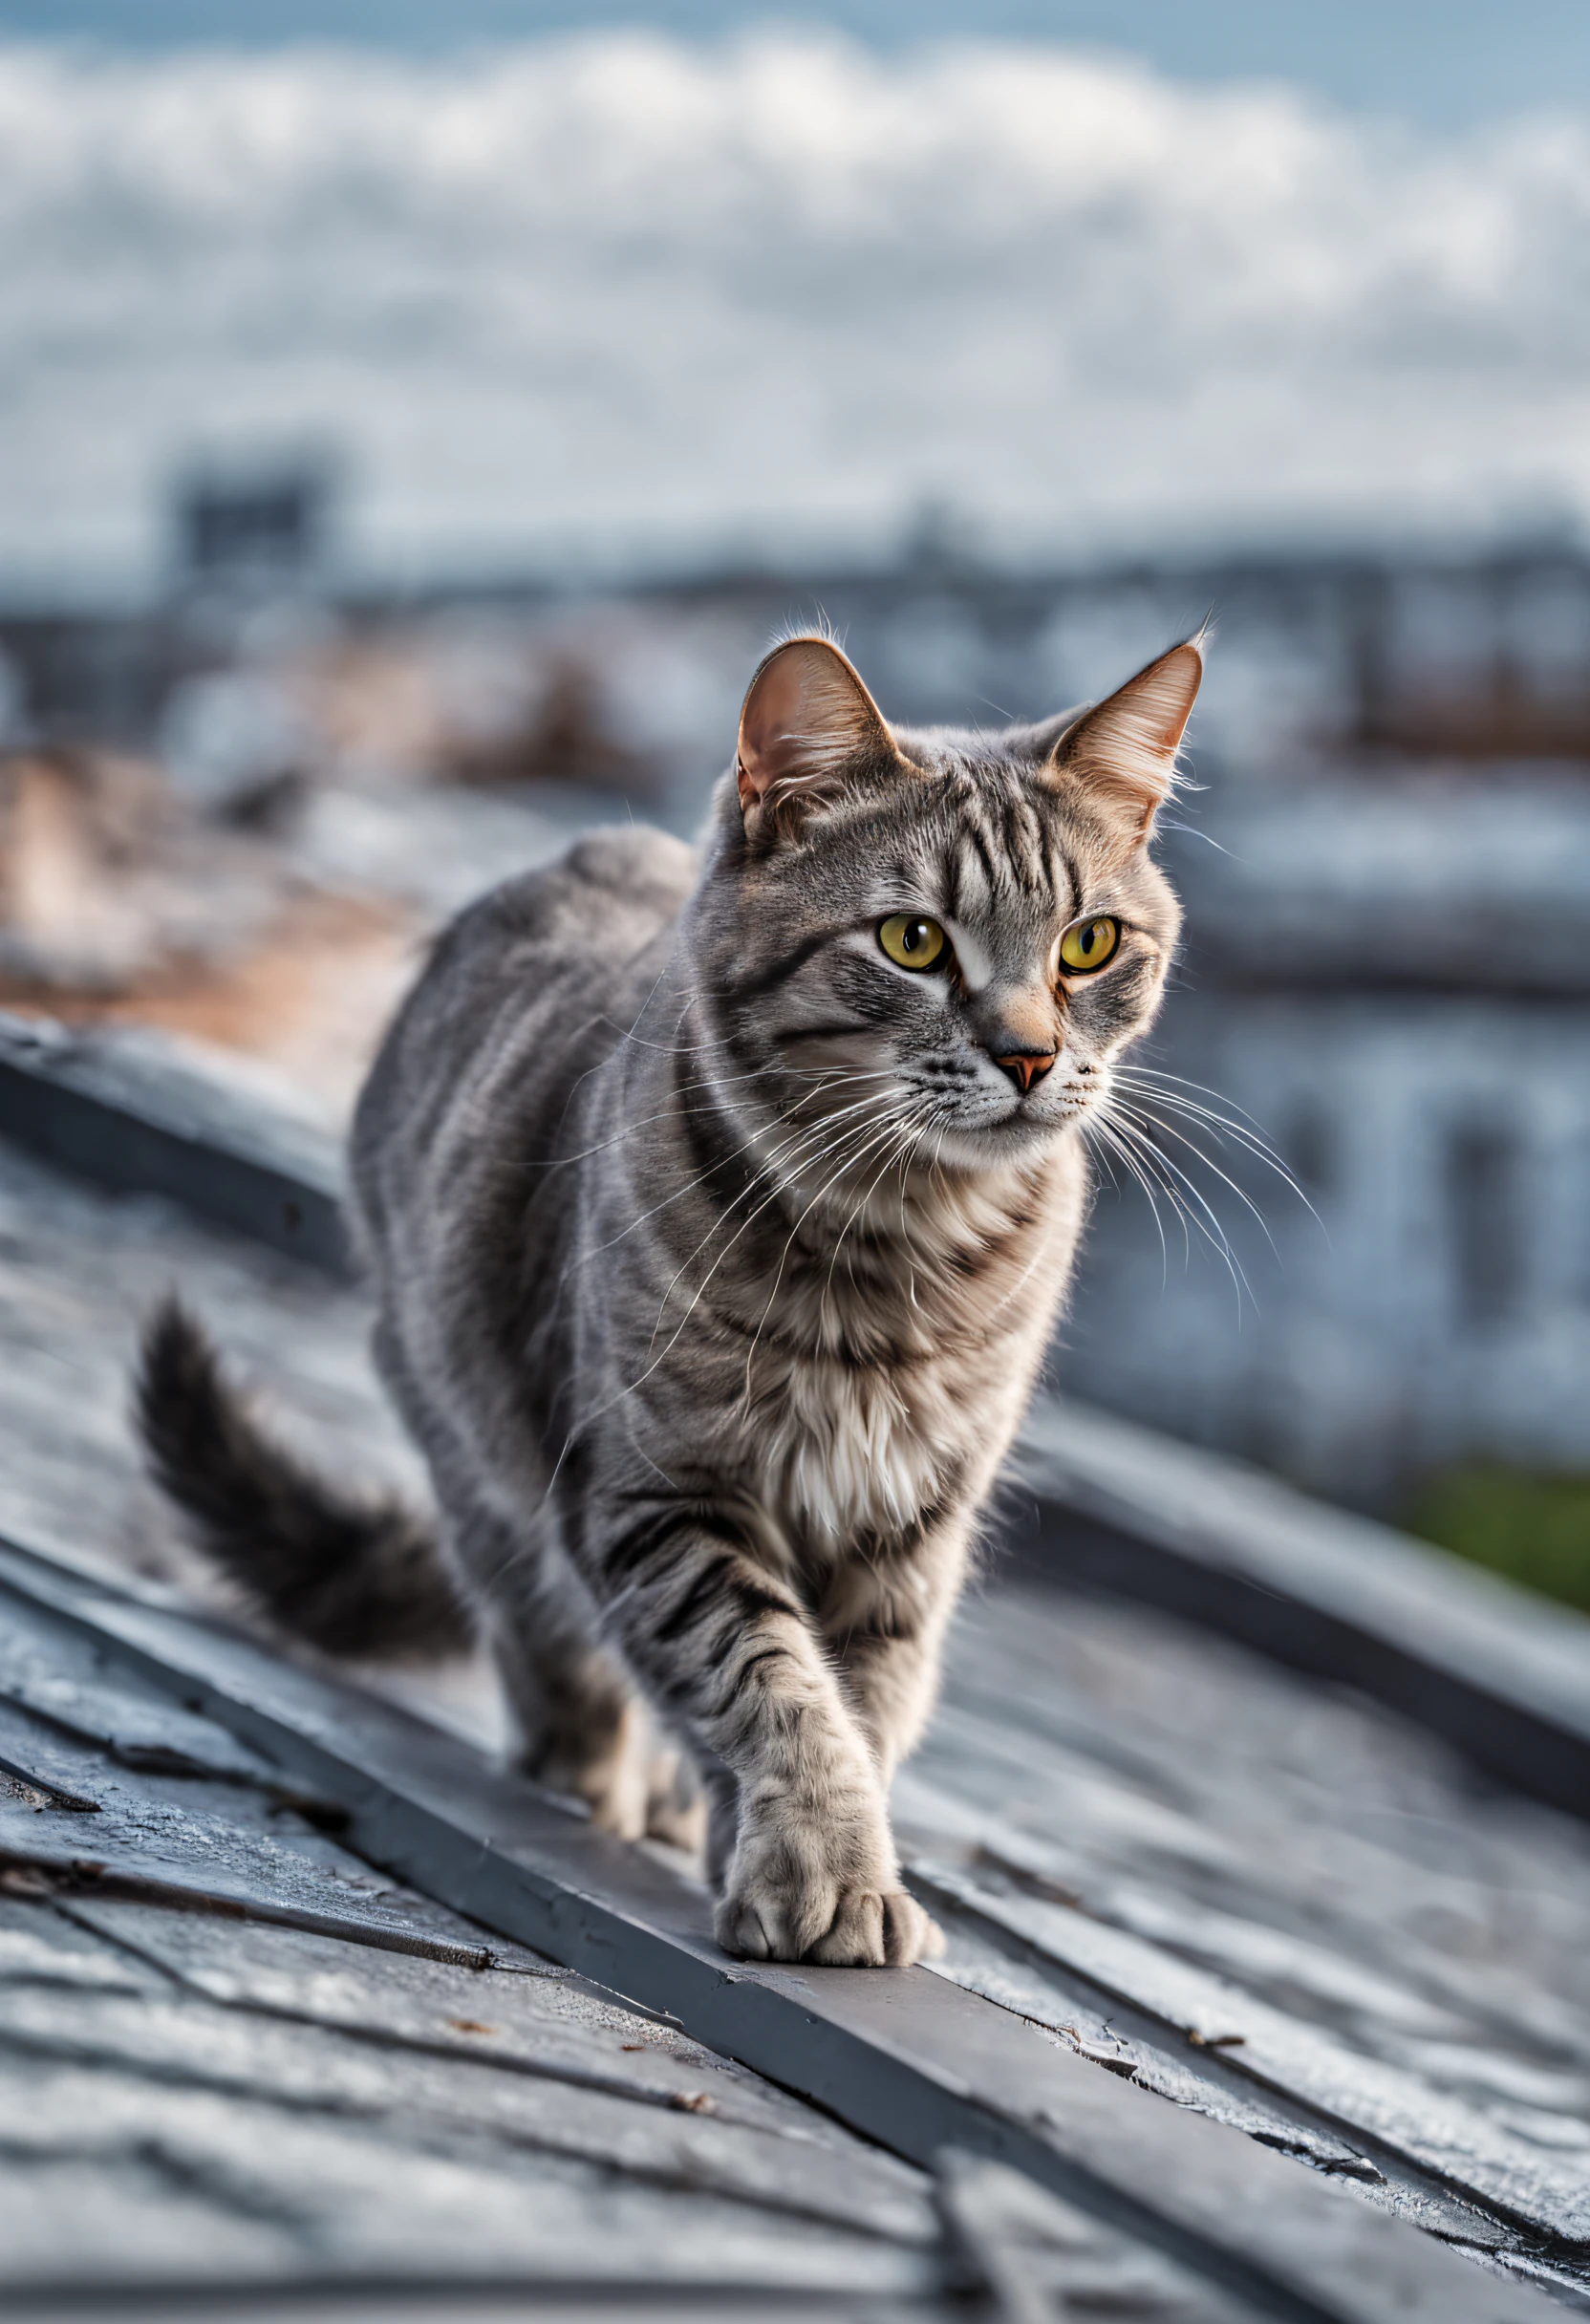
pixel 938 931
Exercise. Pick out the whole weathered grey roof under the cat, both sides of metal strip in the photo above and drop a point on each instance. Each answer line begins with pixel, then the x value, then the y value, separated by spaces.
pixel 1231 1942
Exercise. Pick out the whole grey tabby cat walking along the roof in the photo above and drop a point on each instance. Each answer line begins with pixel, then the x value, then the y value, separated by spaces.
pixel 719 1217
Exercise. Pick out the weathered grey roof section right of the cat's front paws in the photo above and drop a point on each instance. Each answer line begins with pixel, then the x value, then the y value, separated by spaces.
pixel 1268 1902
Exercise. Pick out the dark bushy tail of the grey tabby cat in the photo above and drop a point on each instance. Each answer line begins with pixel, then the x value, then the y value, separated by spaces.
pixel 361 1579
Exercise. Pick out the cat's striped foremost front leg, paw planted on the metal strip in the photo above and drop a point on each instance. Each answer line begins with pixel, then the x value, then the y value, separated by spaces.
pixel 731 1654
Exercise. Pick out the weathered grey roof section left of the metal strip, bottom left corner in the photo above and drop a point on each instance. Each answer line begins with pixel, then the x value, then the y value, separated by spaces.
pixel 234 2053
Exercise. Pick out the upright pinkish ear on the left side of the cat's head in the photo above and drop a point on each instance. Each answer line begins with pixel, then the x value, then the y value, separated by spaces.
pixel 805 729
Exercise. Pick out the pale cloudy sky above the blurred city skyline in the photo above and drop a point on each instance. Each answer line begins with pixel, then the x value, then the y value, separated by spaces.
pixel 643 296
